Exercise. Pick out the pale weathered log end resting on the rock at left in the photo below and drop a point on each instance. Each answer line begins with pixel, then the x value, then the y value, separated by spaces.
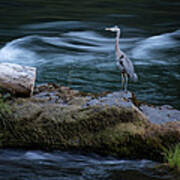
pixel 18 80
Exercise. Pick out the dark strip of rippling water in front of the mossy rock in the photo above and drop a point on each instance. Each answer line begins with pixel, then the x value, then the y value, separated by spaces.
pixel 37 165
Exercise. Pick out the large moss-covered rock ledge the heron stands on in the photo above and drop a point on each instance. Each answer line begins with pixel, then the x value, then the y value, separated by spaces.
pixel 110 124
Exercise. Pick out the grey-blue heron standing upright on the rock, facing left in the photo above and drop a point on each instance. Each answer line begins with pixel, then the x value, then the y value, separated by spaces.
pixel 123 62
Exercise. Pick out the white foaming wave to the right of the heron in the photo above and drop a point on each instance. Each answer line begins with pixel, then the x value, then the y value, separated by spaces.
pixel 152 48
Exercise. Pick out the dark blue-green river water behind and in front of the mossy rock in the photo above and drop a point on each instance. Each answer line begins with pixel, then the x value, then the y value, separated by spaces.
pixel 67 43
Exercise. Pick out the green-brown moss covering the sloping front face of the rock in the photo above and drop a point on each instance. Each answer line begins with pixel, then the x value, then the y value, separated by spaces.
pixel 118 131
